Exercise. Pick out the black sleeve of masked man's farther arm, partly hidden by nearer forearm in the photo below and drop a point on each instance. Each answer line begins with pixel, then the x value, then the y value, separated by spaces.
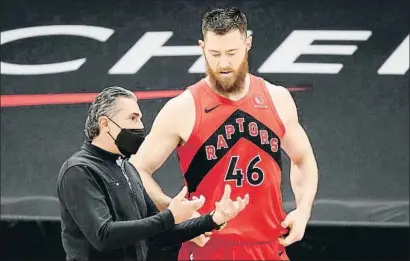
pixel 182 232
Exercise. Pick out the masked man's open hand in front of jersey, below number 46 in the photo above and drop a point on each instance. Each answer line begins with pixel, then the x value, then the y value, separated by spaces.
pixel 226 209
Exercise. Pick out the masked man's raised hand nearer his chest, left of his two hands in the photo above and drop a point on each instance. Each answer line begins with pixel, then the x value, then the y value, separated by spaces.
pixel 183 209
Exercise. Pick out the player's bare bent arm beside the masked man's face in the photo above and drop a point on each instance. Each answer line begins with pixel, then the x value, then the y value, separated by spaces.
pixel 157 147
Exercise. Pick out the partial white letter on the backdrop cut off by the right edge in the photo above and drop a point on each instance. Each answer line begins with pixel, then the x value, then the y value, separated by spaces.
pixel 398 62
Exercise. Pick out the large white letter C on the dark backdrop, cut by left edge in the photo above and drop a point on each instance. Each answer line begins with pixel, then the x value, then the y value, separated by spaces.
pixel 94 32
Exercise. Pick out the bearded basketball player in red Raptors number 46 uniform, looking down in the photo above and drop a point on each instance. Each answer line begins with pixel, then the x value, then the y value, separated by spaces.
pixel 228 128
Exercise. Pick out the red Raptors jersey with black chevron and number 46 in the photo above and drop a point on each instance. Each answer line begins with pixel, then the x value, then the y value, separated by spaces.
pixel 237 143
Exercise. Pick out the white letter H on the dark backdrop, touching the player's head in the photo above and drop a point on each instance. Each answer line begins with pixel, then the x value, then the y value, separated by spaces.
pixel 150 44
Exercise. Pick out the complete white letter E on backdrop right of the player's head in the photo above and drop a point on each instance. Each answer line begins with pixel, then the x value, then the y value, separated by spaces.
pixel 299 42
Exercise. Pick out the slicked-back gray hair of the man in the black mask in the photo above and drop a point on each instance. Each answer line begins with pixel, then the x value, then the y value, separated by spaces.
pixel 103 105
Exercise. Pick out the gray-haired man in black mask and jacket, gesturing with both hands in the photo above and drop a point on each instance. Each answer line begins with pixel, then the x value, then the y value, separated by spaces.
pixel 105 210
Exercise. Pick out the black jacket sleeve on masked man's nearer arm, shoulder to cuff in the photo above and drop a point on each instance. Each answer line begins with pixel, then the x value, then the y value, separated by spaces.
pixel 81 195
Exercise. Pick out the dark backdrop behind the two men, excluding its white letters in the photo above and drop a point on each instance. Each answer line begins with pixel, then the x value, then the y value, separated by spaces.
pixel 357 119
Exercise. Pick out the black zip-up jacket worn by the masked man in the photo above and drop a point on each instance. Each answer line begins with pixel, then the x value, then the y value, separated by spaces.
pixel 106 212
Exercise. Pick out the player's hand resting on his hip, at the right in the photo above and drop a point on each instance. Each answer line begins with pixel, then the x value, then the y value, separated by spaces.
pixel 296 221
